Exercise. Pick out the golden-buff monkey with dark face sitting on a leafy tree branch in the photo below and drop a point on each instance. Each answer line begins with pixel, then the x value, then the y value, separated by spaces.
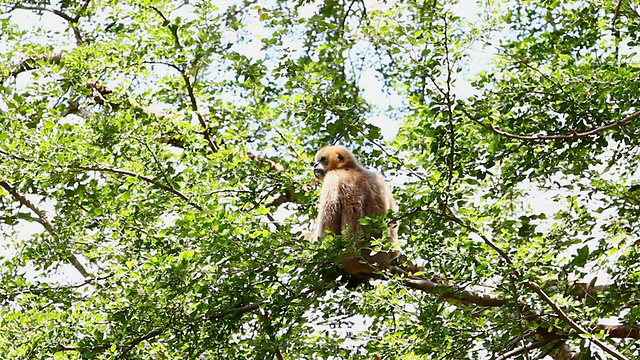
pixel 349 193
